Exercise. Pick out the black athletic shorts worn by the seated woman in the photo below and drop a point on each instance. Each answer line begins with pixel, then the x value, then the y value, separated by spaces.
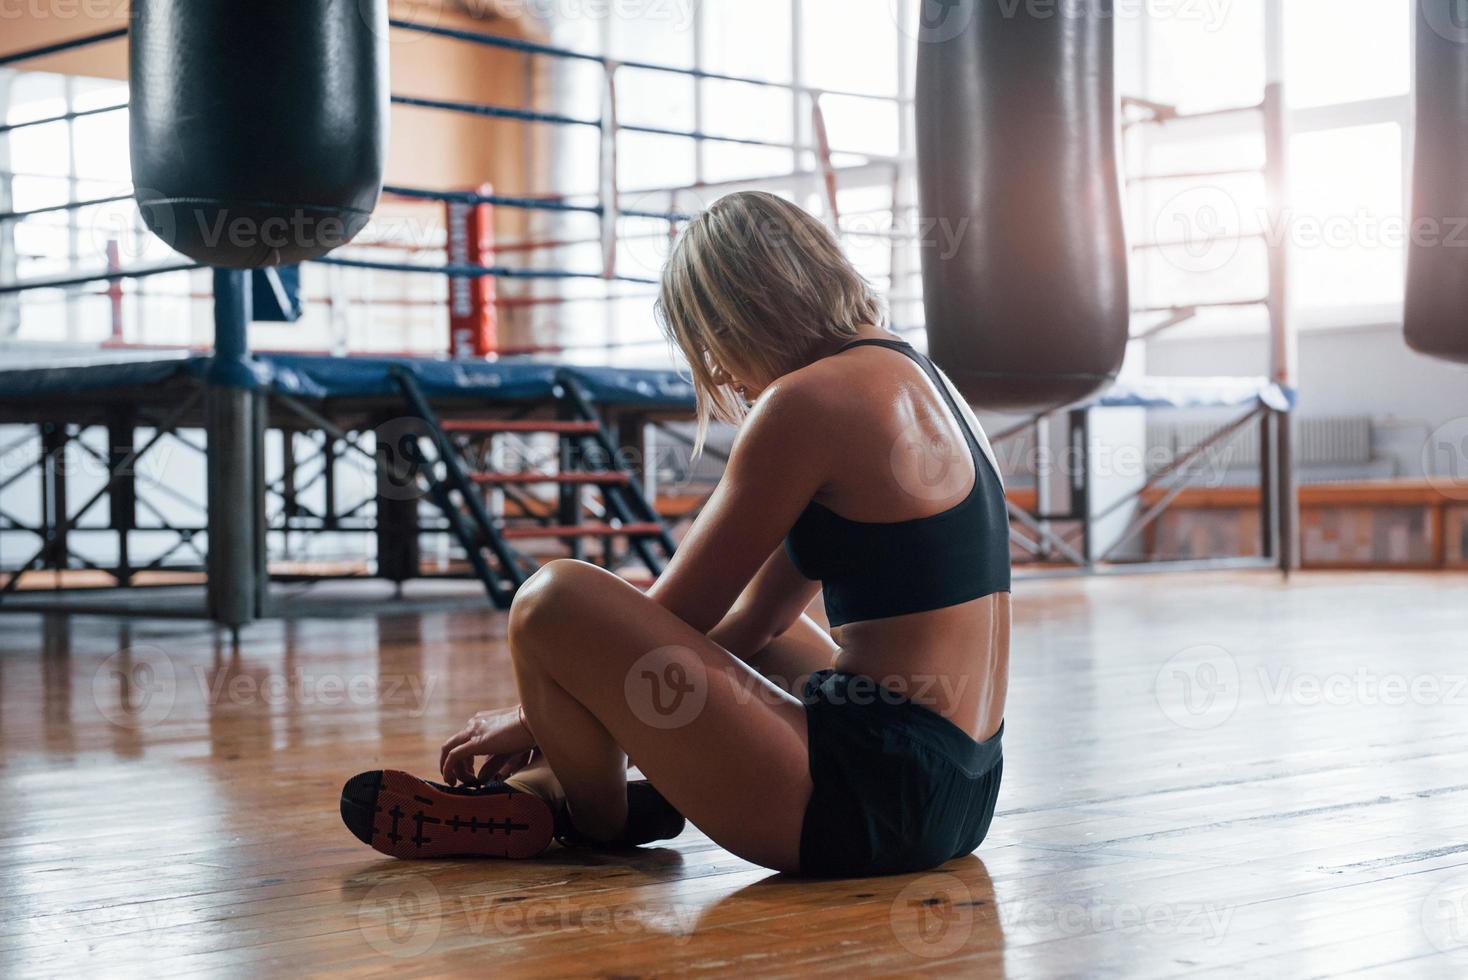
pixel 898 787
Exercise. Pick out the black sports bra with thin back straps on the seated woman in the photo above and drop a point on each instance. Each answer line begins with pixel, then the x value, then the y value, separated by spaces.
pixel 880 570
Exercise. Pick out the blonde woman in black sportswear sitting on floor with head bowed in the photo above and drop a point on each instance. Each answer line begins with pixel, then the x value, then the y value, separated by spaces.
pixel 870 749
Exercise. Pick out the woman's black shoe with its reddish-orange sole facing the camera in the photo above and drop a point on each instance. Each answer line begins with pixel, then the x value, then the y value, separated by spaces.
pixel 409 818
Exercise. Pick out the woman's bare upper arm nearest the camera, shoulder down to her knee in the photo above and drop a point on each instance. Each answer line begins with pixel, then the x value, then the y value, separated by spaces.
pixel 782 458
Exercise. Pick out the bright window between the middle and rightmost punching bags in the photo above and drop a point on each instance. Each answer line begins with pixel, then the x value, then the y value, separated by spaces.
pixel 1347 73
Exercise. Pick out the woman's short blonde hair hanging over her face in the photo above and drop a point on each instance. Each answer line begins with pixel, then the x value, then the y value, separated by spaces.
pixel 757 284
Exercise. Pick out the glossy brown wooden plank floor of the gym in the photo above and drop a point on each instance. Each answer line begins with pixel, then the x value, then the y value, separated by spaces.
pixel 1206 775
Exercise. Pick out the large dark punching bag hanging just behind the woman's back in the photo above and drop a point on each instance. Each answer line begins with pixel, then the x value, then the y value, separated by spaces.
pixel 1025 275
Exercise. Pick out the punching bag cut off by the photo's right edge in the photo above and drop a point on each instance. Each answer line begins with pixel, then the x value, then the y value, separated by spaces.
pixel 1438 257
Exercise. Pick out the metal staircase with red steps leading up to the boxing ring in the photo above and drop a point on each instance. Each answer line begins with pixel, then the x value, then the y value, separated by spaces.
pixel 457 482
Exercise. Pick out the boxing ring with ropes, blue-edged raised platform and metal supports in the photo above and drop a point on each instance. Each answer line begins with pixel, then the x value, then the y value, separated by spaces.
pixel 271 426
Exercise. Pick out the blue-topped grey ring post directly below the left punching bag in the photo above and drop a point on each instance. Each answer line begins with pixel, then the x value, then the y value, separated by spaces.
pixel 236 590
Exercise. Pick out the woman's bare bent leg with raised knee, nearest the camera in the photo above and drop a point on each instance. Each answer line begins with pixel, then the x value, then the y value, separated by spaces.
pixel 604 671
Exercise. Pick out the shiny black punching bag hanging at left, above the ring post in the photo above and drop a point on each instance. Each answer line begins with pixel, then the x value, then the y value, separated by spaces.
pixel 259 130
